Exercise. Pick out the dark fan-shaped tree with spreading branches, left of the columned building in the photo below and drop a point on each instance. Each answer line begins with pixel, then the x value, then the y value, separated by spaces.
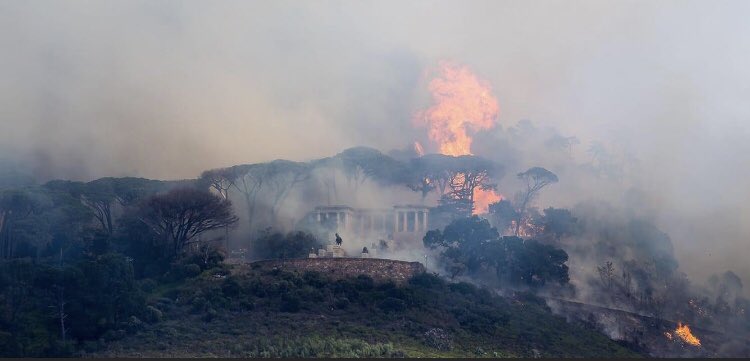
pixel 182 214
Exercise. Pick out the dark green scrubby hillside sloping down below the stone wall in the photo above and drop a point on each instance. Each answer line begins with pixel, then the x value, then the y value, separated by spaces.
pixel 252 313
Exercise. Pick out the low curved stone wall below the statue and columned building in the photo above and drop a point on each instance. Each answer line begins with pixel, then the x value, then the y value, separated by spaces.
pixel 381 270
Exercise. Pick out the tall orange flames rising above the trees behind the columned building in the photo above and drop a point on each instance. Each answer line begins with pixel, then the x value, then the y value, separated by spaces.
pixel 462 103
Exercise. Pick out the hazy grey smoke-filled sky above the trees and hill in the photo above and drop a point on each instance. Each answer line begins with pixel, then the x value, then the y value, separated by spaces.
pixel 166 89
